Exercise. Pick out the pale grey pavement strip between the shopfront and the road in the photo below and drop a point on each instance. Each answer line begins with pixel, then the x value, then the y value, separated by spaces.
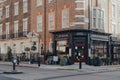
pixel 85 68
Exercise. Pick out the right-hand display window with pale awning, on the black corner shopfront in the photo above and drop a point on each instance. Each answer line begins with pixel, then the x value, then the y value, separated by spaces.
pixel 100 45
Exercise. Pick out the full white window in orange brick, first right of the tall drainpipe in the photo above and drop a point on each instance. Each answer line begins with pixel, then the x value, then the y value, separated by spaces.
pixel 51 20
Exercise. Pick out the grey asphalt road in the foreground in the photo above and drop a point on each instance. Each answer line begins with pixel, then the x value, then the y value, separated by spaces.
pixel 45 74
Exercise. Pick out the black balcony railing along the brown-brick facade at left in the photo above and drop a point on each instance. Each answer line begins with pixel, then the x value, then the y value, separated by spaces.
pixel 14 35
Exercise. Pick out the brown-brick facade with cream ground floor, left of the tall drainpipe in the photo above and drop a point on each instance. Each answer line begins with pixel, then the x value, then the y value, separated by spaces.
pixel 17 30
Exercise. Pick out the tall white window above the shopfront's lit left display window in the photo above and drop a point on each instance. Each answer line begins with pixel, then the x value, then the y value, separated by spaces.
pixel 65 18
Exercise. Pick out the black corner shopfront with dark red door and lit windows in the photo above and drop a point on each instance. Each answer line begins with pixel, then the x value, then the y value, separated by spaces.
pixel 71 43
